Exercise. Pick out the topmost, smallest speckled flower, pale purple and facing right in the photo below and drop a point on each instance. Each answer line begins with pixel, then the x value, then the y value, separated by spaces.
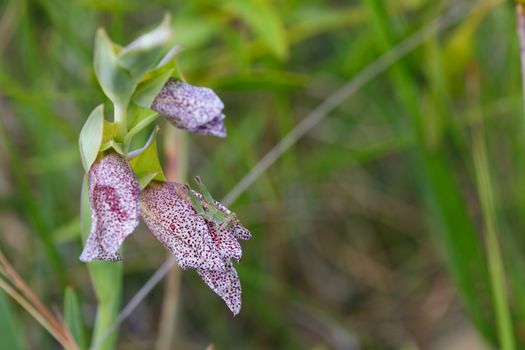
pixel 192 108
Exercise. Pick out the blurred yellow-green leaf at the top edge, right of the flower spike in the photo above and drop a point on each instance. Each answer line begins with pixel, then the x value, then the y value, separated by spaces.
pixel 264 21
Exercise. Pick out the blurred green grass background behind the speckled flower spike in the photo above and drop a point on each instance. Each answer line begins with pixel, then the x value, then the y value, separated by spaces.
pixel 369 233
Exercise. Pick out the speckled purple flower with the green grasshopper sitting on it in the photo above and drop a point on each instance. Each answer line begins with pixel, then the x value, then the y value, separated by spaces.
pixel 195 242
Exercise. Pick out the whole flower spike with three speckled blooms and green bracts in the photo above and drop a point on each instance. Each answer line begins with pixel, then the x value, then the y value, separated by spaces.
pixel 142 81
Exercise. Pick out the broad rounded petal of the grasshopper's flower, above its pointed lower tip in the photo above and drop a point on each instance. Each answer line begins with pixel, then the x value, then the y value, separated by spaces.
pixel 174 222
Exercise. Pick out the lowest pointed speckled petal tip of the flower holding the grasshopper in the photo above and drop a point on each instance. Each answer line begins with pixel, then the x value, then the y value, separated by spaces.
pixel 226 284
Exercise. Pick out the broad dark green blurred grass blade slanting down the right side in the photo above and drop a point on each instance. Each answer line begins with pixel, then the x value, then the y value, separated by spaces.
pixel 456 232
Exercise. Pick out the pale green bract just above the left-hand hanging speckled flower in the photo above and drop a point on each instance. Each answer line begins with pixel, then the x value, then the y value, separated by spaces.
pixel 90 137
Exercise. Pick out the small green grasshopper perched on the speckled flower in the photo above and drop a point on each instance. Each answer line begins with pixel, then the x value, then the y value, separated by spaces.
pixel 208 209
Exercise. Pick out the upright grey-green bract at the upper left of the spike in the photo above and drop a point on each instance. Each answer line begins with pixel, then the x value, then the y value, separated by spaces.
pixel 115 81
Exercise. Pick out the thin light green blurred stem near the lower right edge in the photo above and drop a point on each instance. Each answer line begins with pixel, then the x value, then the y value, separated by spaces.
pixel 496 271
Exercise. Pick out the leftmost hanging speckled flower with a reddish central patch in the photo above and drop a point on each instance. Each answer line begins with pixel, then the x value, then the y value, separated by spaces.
pixel 113 199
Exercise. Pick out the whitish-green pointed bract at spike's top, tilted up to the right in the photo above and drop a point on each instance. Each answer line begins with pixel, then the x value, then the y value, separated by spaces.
pixel 146 51
